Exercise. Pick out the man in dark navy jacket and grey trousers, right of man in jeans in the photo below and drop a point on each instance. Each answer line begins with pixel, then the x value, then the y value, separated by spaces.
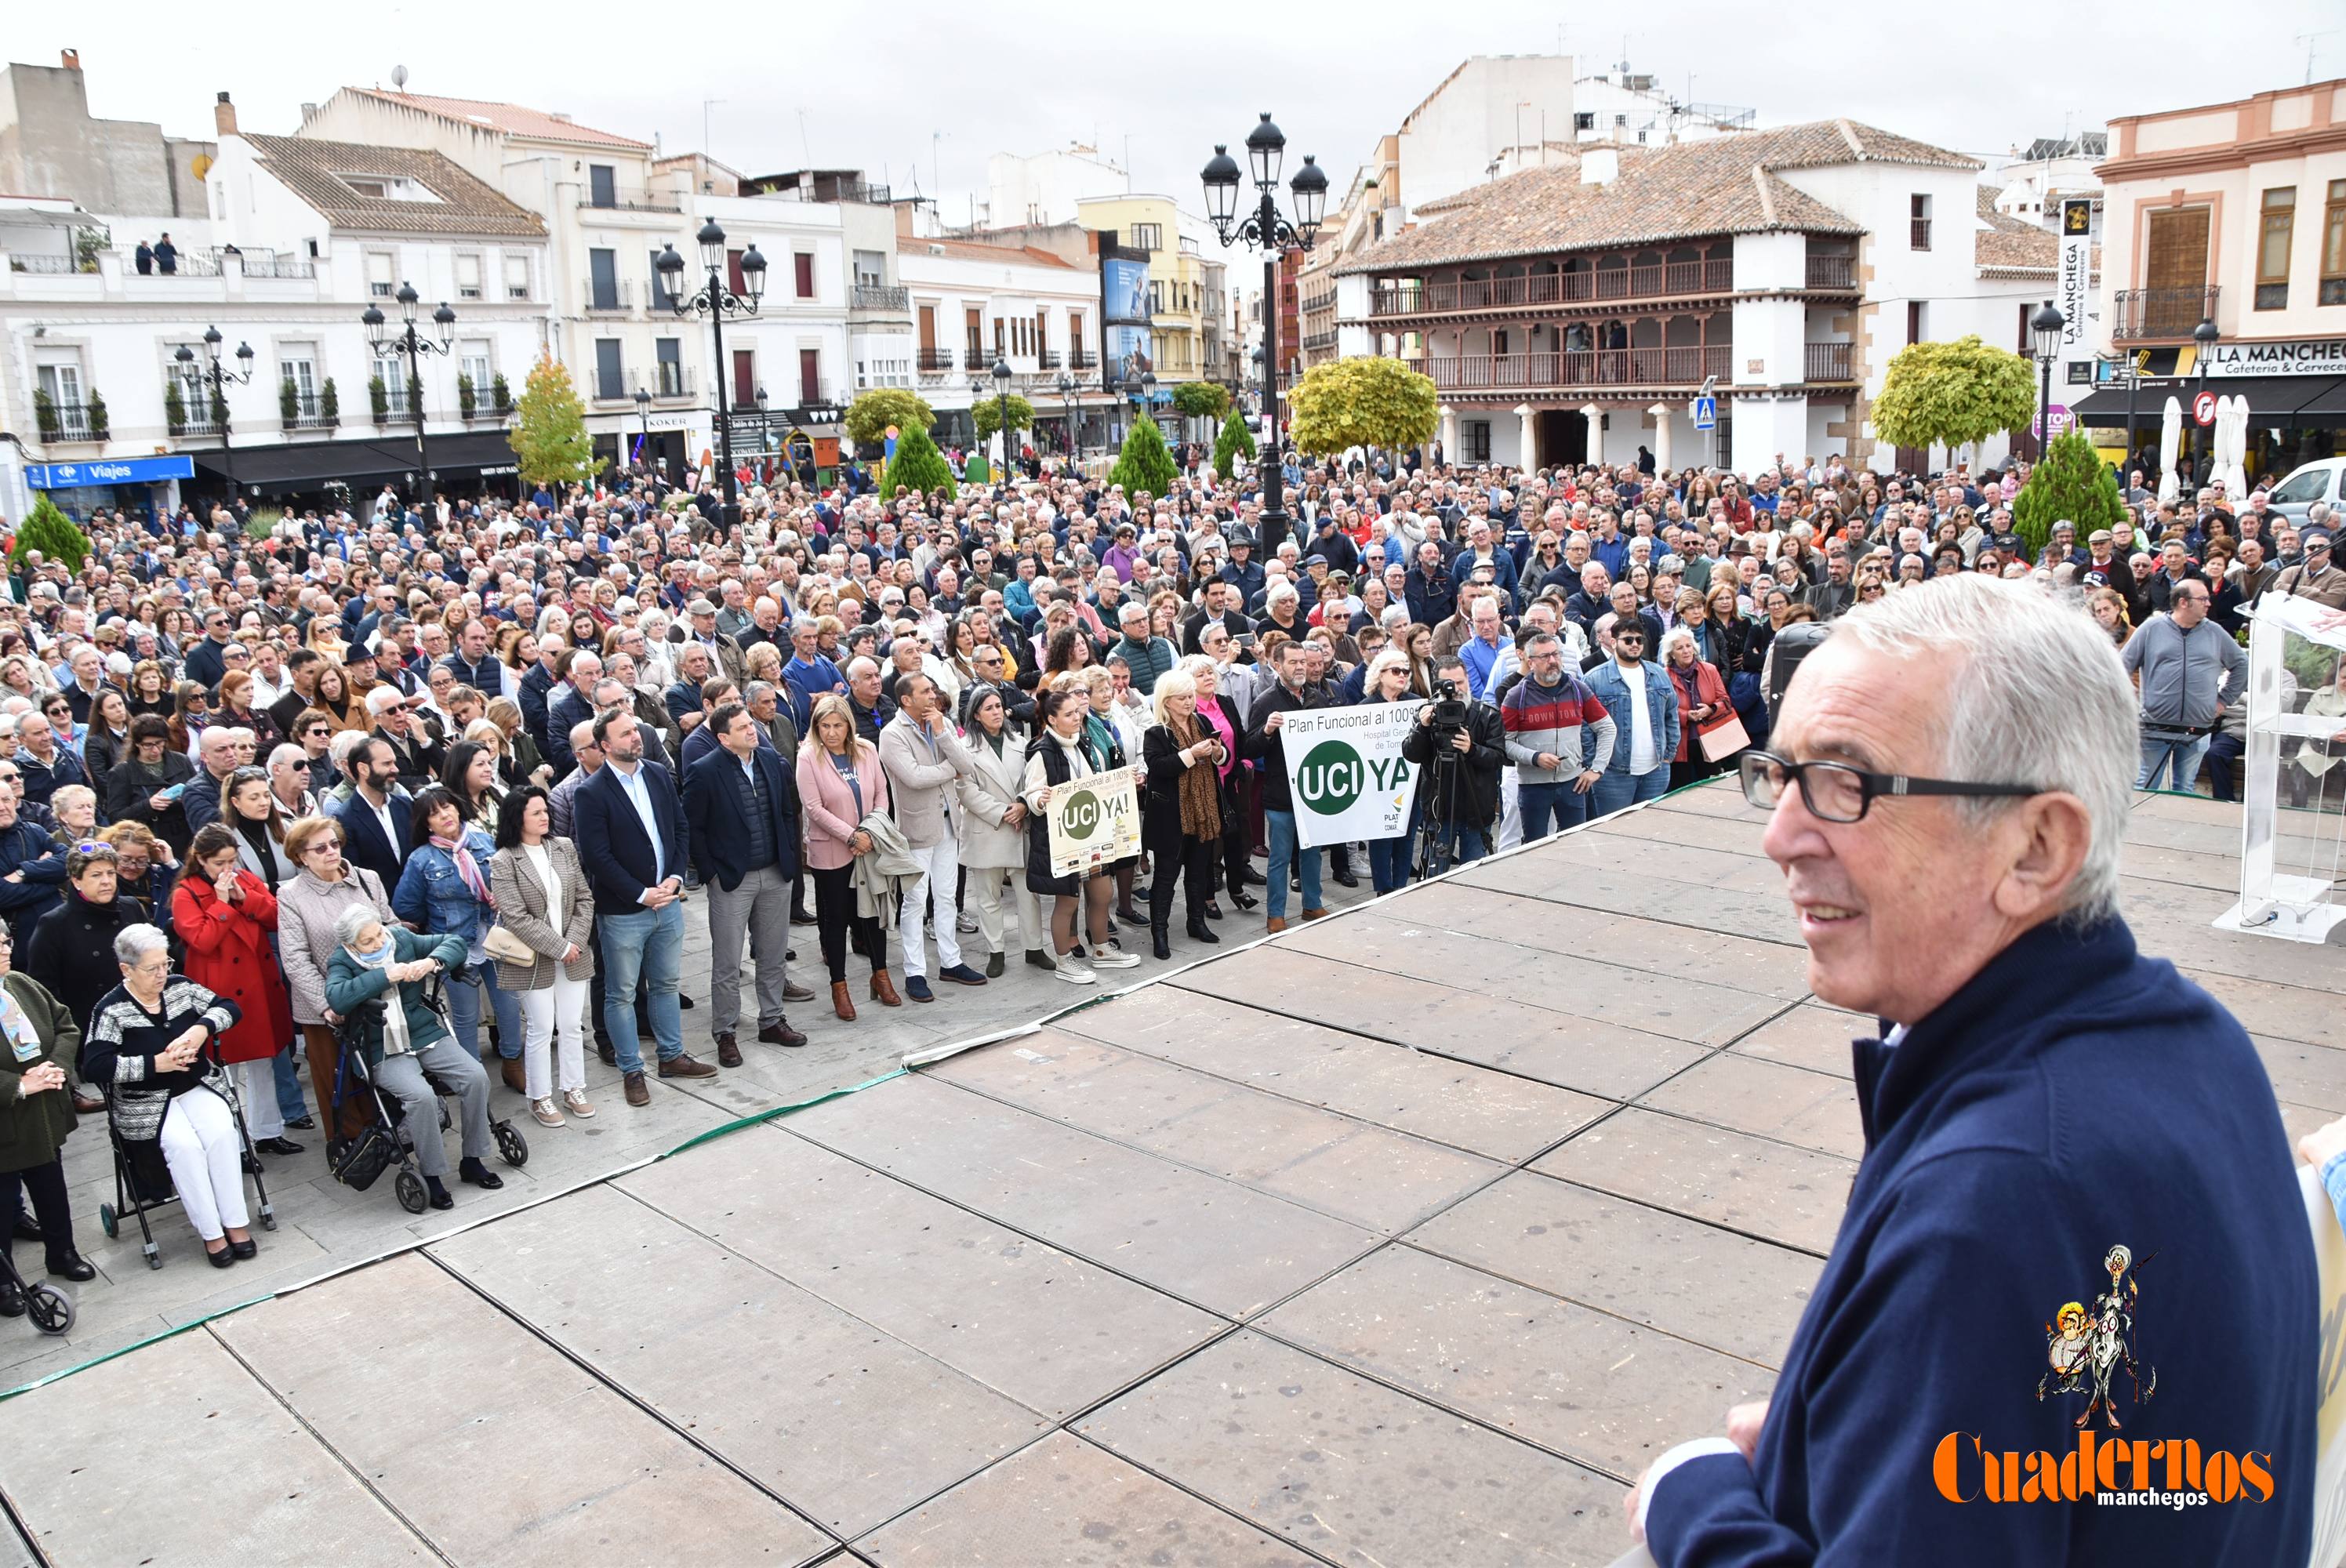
pixel 743 818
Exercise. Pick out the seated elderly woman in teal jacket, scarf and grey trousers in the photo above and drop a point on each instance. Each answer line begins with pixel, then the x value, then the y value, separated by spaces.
pixel 407 1039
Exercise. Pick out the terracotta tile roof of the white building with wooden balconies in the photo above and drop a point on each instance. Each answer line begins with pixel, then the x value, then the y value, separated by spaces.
pixel 1688 191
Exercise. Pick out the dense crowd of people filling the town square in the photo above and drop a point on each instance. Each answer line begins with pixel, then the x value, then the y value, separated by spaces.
pixel 456 773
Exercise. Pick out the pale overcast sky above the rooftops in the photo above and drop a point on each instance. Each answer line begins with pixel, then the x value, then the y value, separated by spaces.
pixel 862 86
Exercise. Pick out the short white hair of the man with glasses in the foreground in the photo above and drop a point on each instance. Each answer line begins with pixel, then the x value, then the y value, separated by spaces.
pixel 2038 698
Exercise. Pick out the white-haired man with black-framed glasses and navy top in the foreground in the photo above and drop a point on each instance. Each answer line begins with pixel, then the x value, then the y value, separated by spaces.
pixel 2052 1116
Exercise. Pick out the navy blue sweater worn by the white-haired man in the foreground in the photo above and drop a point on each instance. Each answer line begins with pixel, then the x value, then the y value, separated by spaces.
pixel 2068 1100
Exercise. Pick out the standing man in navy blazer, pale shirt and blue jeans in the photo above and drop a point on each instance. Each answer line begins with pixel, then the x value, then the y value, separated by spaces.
pixel 630 832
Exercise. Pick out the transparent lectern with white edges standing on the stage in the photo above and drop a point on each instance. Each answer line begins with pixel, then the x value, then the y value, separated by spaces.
pixel 2293 825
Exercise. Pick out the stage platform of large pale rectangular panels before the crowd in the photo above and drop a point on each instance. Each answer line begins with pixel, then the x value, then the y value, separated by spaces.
pixel 1404 1238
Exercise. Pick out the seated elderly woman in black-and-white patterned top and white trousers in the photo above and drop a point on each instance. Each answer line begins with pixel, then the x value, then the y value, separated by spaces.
pixel 170 1102
